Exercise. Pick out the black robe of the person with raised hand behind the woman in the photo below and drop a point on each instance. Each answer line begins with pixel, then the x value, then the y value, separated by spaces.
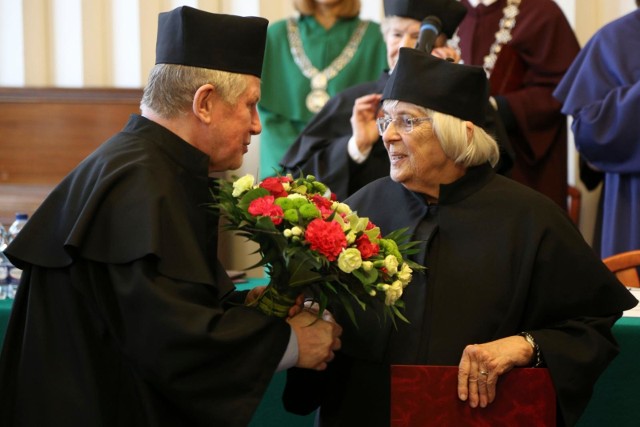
pixel 321 148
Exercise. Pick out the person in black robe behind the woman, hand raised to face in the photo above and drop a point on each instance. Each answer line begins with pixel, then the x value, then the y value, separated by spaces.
pixel 341 146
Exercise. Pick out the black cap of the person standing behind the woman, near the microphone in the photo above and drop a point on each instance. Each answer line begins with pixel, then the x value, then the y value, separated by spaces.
pixel 450 12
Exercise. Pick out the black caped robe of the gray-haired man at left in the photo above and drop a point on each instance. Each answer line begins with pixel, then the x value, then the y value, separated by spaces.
pixel 119 319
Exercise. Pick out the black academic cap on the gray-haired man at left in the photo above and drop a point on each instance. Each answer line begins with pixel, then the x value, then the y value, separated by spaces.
pixel 189 36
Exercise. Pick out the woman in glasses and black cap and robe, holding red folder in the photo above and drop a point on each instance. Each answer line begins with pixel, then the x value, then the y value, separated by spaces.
pixel 510 281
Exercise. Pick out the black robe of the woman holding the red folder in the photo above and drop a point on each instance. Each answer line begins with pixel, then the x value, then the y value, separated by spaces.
pixel 501 259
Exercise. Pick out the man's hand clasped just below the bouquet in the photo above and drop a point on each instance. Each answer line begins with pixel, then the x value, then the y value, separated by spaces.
pixel 317 340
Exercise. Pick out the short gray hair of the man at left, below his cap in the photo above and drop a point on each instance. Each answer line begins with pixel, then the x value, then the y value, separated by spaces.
pixel 171 87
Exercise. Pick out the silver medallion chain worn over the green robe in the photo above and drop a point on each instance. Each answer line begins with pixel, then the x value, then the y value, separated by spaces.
pixel 319 79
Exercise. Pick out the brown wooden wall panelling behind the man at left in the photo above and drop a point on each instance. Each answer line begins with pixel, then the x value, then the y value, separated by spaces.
pixel 46 132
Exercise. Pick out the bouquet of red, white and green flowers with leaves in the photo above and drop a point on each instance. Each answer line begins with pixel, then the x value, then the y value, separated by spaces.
pixel 310 243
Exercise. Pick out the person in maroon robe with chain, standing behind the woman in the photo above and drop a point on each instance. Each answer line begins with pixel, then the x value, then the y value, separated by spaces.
pixel 525 46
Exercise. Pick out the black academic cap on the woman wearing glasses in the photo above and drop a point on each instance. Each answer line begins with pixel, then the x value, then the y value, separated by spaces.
pixel 454 89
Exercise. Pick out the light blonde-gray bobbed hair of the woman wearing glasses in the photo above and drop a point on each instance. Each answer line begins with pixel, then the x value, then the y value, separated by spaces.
pixel 452 134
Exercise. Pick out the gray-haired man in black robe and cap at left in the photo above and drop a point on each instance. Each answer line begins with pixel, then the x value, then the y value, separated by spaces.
pixel 123 316
